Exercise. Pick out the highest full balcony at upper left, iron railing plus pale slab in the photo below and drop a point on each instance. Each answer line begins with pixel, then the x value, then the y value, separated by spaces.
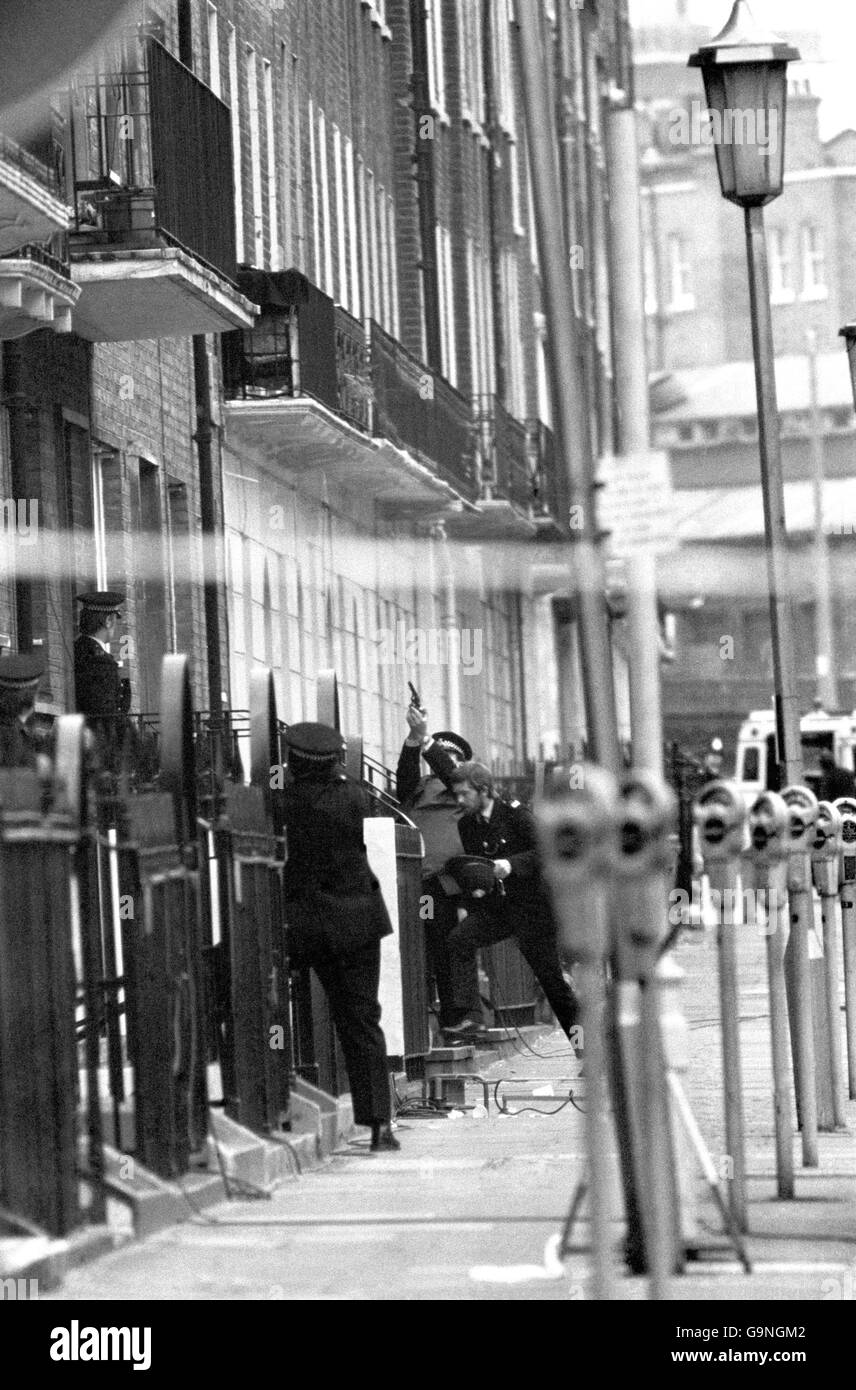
pixel 154 229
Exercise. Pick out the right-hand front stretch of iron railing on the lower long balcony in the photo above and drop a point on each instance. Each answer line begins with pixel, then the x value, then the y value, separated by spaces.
pixel 422 414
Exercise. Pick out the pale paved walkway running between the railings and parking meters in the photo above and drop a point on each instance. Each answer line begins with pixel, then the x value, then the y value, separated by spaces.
pixel 473 1204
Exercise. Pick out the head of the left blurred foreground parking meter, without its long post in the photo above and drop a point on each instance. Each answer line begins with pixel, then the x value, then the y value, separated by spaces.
pixel 576 831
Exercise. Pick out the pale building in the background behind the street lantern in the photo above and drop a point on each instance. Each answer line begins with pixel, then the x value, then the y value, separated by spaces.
pixel 700 345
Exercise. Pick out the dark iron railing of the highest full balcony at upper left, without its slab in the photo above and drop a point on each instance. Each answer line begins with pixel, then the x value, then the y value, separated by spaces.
pixel 152 159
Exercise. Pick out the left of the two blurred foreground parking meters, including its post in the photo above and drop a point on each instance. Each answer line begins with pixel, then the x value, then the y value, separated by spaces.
pixel 576 831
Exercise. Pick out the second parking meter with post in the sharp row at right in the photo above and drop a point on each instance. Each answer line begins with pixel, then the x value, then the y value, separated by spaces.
pixel 769 857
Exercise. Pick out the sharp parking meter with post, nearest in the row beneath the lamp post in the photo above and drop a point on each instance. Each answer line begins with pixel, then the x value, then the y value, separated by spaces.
pixel 721 818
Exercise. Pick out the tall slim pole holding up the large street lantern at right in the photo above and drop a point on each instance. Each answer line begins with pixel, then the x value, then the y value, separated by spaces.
pixel 782 618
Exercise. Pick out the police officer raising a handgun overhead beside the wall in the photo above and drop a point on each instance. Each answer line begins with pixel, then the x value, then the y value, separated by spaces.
pixel 431 804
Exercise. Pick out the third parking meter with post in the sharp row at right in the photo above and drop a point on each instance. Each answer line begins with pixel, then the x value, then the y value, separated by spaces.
pixel 802 814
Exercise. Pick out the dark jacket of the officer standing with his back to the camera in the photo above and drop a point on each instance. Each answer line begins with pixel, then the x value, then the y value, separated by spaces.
pixel 334 903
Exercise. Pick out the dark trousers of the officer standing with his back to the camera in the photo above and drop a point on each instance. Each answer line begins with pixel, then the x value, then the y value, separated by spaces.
pixel 351 983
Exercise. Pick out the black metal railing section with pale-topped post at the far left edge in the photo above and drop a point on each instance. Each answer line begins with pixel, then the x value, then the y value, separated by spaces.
pixel 42 976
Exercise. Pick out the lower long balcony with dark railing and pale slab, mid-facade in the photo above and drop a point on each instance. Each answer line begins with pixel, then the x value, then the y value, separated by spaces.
pixel 306 390
